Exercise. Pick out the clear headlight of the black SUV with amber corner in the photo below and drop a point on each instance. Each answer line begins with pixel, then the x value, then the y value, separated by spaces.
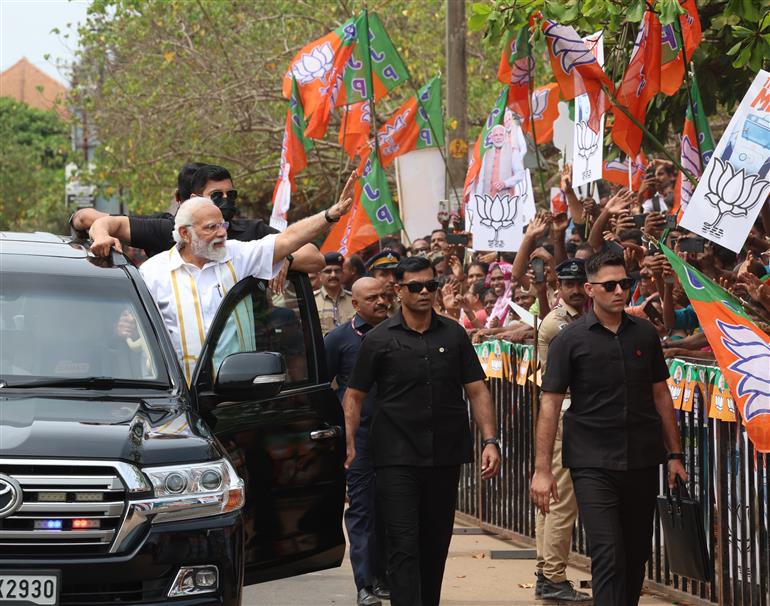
pixel 190 491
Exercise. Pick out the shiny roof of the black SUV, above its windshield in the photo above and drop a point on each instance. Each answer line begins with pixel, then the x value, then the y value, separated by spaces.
pixel 42 252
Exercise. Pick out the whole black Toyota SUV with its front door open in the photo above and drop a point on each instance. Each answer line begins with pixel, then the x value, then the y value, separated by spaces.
pixel 121 484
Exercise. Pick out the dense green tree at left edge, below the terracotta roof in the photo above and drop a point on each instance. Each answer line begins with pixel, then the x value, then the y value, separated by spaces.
pixel 35 147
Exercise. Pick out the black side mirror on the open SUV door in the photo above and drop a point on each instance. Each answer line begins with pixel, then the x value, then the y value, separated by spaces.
pixel 251 374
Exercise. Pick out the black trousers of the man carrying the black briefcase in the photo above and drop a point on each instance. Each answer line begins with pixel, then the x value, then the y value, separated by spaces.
pixel 617 509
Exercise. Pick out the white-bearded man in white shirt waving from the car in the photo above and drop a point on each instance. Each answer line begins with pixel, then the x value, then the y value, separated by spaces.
pixel 189 281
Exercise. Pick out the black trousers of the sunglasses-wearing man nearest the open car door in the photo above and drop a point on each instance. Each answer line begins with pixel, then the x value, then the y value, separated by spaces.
pixel 418 508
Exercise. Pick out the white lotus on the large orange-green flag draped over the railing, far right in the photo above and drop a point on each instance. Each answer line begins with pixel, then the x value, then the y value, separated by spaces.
pixel 752 364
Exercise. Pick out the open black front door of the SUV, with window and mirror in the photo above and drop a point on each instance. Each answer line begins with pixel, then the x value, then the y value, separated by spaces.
pixel 262 386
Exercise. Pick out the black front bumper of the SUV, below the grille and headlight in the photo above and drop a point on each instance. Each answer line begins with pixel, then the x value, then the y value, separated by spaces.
pixel 145 575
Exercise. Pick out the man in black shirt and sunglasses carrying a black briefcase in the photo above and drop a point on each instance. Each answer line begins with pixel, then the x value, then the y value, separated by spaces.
pixel 617 431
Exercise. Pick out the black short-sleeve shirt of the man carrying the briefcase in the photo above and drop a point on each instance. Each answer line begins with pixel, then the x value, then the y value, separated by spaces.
pixel 612 422
